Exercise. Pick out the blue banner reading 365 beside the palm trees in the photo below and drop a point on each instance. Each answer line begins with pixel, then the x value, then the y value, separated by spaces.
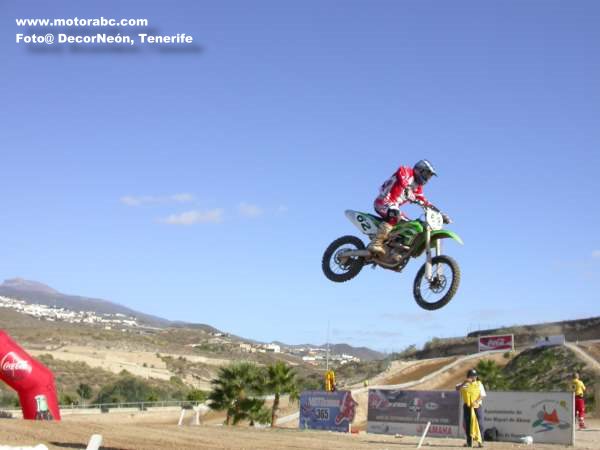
pixel 333 411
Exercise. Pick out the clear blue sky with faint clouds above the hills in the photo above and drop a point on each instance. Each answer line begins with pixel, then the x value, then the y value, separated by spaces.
pixel 205 185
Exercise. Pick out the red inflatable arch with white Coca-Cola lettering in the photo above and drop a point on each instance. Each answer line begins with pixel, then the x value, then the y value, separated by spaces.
pixel 32 380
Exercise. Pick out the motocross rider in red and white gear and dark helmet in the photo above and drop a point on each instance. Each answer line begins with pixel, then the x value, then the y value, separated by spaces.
pixel 405 185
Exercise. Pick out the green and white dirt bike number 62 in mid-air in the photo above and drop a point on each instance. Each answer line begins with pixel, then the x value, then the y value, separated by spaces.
pixel 438 277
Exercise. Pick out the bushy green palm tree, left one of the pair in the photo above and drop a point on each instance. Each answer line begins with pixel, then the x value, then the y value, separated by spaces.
pixel 233 392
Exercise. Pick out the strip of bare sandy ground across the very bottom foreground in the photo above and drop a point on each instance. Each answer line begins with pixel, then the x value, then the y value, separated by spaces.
pixel 149 431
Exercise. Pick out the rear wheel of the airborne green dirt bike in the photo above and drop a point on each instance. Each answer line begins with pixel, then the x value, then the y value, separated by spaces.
pixel 338 268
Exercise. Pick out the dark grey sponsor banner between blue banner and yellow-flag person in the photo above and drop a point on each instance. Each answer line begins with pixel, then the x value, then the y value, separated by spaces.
pixel 407 412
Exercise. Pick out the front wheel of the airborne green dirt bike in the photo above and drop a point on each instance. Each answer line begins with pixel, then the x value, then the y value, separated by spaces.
pixel 436 293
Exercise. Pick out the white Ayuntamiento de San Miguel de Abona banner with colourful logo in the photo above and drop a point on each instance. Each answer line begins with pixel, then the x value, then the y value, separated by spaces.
pixel 545 416
